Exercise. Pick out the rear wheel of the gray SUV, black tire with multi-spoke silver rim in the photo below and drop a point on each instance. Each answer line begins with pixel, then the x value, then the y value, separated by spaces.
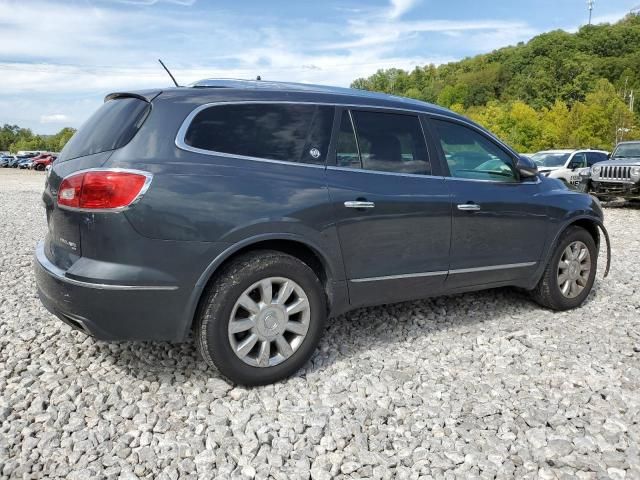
pixel 262 318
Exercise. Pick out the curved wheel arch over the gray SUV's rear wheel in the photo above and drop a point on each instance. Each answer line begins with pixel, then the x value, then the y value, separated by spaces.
pixel 291 244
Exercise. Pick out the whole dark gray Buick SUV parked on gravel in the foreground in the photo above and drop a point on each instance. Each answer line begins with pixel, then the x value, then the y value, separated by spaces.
pixel 249 212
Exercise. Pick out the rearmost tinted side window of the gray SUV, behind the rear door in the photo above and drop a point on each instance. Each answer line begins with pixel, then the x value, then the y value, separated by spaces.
pixel 286 132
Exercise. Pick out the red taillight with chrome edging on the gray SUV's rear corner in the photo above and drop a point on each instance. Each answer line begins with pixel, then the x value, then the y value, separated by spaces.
pixel 102 189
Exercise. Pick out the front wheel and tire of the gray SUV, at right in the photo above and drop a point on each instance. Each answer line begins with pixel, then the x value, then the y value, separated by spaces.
pixel 570 273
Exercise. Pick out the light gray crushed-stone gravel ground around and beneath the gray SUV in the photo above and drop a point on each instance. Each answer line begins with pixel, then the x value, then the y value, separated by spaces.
pixel 480 385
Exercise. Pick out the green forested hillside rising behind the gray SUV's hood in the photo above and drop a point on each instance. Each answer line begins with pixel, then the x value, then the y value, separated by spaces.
pixel 557 90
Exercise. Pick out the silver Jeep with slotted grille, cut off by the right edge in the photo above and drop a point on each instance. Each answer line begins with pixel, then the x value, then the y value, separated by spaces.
pixel 619 176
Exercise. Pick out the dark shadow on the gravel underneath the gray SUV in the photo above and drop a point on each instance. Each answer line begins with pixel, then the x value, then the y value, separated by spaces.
pixel 345 335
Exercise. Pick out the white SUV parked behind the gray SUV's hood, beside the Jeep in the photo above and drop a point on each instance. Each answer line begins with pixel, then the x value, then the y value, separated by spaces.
pixel 566 165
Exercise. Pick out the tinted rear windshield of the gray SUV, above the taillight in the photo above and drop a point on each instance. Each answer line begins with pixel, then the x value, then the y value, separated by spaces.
pixel 112 126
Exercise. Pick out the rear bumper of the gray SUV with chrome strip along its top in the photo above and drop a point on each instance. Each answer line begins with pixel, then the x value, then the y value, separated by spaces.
pixel 110 311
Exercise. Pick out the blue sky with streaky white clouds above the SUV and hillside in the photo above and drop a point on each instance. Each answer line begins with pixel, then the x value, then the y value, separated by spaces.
pixel 58 59
